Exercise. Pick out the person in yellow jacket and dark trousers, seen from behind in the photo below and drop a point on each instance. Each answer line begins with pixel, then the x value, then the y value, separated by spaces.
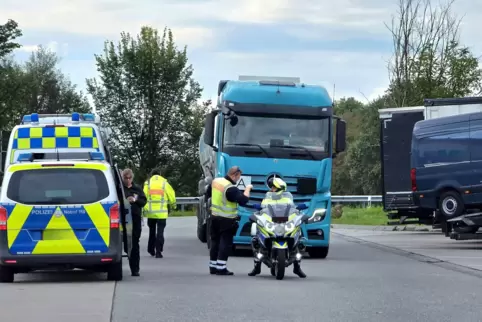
pixel 161 199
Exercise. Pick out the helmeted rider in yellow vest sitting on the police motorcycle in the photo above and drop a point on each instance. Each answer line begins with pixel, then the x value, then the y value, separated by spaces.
pixel 278 195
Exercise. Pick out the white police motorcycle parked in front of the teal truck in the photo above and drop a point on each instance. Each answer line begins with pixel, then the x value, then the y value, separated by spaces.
pixel 276 235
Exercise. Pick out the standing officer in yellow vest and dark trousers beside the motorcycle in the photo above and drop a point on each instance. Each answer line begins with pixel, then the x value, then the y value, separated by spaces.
pixel 225 197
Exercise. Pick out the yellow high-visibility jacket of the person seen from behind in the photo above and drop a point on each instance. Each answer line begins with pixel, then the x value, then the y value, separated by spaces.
pixel 159 194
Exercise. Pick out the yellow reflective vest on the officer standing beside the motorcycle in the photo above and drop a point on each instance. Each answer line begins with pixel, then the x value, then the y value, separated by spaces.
pixel 220 205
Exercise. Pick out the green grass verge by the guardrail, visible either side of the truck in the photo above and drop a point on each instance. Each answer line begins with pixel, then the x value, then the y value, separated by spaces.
pixel 374 216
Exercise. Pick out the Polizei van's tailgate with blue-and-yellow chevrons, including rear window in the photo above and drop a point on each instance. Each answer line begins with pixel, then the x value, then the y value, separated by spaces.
pixel 58 210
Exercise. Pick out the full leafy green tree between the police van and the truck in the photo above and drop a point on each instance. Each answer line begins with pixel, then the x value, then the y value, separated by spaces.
pixel 147 96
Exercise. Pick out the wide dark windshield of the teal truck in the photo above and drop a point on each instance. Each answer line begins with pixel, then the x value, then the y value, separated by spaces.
pixel 311 134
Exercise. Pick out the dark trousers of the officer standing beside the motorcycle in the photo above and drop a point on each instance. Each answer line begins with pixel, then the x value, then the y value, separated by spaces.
pixel 222 234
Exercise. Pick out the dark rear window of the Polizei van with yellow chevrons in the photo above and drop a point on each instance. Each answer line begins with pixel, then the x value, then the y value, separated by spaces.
pixel 58 186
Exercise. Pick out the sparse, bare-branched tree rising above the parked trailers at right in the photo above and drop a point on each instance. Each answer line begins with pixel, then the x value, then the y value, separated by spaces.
pixel 429 61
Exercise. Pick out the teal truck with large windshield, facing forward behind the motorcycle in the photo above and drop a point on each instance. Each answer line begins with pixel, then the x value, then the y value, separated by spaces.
pixel 273 128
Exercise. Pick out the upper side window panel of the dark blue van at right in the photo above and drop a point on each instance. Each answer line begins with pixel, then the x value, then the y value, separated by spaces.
pixel 444 148
